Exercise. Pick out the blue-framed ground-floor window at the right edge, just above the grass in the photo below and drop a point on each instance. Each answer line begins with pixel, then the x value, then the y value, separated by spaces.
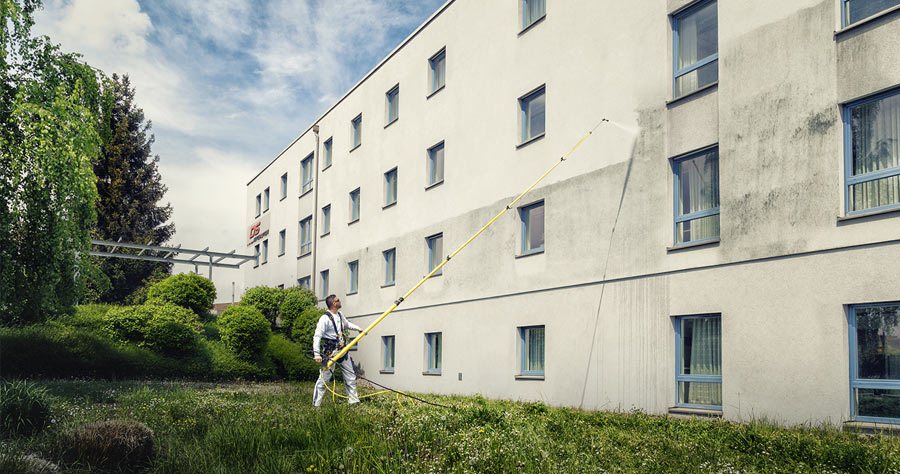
pixel 875 362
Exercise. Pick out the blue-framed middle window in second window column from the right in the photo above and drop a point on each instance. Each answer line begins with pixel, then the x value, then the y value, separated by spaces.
pixel 697 197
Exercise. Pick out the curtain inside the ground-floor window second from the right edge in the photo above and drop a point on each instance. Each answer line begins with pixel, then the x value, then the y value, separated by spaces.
pixel 705 359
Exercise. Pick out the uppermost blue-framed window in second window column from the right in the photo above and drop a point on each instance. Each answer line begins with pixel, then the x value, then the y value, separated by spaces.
pixel 696 44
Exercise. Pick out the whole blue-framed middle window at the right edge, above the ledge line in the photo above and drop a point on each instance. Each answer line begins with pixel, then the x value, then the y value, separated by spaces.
pixel 872 153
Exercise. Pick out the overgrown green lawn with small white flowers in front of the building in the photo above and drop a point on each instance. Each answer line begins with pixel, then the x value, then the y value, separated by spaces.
pixel 263 428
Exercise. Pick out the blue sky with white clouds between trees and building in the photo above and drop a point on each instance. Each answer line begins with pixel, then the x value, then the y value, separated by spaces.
pixel 228 84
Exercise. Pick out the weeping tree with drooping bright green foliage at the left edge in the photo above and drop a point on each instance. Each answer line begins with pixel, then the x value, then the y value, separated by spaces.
pixel 49 136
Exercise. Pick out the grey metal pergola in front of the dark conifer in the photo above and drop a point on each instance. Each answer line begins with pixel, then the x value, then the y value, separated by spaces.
pixel 158 253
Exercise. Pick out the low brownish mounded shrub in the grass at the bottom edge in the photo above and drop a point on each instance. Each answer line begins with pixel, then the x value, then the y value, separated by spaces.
pixel 119 445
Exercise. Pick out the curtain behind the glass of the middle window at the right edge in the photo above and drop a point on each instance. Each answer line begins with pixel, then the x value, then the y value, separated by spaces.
pixel 876 146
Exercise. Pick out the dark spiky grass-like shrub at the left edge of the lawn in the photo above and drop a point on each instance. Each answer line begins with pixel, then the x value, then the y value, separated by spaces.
pixel 24 407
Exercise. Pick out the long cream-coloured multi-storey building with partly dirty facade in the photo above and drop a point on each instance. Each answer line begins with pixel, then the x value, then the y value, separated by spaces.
pixel 724 244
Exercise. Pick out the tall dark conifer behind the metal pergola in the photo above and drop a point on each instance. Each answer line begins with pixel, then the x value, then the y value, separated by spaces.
pixel 130 189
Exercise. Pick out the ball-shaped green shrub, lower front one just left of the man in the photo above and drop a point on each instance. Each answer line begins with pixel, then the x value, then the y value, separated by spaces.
pixel 245 331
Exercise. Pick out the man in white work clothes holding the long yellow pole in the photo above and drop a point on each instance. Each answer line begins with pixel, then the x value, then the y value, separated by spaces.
pixel 331 328
